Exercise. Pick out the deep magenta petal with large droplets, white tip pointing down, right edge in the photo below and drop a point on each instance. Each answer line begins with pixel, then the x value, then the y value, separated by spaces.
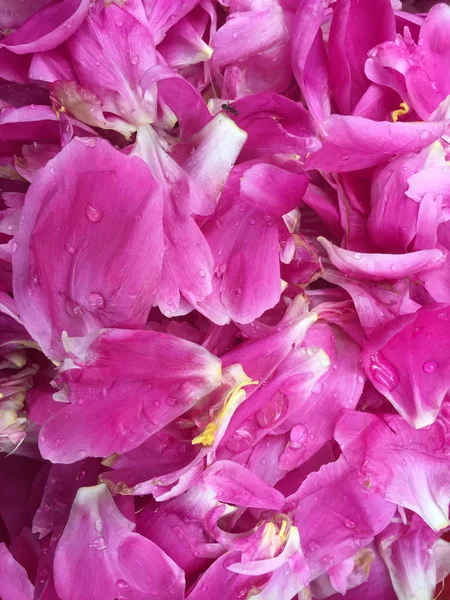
pixel 407 363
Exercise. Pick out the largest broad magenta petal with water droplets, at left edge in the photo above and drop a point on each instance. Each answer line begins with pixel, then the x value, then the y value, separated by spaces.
pixel 100 280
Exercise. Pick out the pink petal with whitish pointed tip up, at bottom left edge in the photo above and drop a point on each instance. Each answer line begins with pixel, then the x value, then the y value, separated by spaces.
pixel 99 556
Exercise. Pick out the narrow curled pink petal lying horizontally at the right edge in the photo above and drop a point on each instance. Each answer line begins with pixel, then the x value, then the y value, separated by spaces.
pixel 382 266
